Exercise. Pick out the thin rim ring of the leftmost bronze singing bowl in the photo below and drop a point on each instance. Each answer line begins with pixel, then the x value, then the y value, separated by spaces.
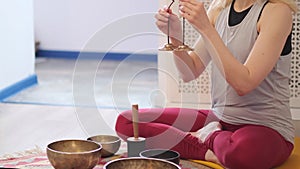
pixel 83 152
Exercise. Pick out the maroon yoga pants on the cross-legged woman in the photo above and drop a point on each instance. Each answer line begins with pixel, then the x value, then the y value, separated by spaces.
pixel 236 146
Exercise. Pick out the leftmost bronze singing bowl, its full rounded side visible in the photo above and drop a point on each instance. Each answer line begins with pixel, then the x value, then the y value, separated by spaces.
pixel 70 154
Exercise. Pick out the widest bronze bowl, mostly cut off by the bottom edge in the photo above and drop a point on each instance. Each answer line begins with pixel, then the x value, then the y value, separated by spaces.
pixel 140 163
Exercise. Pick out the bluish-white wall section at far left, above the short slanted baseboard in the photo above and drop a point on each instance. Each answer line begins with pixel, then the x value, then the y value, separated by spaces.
pixel 16 42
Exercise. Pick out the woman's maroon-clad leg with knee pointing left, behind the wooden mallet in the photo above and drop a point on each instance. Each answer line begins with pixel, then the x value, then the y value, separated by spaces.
pixel 168 128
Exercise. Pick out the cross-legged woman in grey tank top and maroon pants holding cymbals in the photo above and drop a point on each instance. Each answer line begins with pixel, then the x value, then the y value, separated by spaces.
pixel 249 126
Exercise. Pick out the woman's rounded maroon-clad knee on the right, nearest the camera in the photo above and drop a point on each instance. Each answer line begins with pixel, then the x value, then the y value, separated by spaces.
pixel 250 147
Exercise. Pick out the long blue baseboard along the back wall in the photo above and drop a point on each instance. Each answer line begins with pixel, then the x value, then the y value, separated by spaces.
pixel 96 55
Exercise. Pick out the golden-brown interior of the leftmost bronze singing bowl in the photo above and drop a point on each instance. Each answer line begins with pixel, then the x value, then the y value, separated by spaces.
pixel 74 146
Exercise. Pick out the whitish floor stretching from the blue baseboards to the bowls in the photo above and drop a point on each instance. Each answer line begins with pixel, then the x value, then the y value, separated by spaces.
pixel 49 111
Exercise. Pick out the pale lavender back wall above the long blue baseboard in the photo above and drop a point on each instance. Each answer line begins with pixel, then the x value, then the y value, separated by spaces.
pixel 69 24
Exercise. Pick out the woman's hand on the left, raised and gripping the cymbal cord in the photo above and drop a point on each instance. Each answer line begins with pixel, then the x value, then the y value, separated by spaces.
pixel 162 17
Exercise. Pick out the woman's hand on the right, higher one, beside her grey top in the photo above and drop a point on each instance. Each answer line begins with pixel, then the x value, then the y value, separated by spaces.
pixel 195 13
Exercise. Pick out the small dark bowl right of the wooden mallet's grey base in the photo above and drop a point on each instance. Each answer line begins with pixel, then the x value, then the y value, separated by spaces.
pixel 163 154
